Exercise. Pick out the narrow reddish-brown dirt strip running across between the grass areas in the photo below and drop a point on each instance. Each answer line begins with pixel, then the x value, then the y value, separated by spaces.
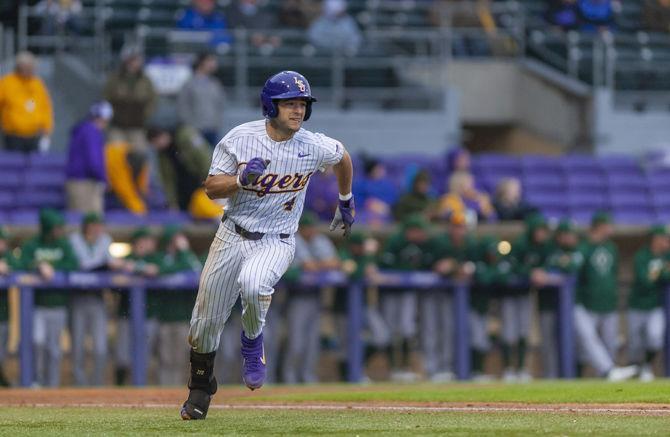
pixel 233 398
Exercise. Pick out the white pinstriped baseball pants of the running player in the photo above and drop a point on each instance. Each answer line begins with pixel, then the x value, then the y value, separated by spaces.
pixel 237 267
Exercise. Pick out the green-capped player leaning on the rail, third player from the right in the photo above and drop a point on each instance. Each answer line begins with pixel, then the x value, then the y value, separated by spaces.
pixel 564 257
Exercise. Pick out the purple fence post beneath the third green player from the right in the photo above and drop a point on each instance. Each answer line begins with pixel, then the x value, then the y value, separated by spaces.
pixel 566 344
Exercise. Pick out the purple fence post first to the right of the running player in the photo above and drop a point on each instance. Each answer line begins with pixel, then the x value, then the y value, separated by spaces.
pixel 354 327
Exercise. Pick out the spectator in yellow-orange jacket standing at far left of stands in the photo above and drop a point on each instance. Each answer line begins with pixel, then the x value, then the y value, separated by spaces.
pixel 26 116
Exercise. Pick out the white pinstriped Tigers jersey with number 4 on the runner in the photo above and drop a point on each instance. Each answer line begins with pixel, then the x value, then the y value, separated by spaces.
pixel 273 202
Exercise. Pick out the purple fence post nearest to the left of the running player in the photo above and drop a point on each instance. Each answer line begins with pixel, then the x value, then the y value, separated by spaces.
pixel 139 338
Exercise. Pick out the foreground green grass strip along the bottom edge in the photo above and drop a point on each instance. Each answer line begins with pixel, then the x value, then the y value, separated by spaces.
pixel 87 421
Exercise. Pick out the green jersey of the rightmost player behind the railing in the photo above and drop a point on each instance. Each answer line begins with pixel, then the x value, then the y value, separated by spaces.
pixel 652 276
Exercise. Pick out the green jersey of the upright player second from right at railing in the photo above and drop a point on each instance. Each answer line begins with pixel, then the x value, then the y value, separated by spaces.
pixel 597 279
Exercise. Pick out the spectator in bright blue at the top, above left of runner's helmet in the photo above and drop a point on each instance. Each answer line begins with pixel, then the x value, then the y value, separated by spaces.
pixel 203 16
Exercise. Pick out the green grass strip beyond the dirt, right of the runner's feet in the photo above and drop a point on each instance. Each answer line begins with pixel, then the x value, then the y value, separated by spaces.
pixel 583 391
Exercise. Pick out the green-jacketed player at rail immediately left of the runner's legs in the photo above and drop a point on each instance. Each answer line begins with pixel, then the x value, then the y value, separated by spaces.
pixel 174 307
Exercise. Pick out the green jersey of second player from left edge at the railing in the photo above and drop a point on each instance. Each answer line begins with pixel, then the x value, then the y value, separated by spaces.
pixel 60 255
